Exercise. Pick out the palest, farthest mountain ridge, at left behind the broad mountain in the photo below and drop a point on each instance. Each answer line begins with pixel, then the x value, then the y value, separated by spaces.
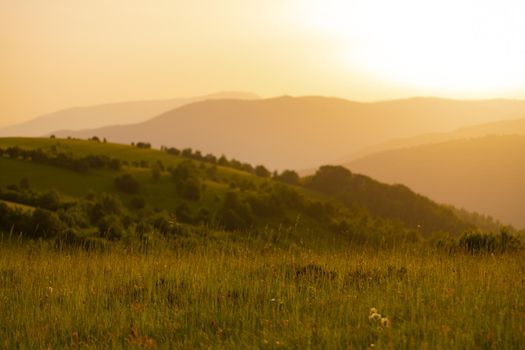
pixel 108 114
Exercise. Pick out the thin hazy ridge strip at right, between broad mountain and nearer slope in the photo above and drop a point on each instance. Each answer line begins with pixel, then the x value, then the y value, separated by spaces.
pixel 505 127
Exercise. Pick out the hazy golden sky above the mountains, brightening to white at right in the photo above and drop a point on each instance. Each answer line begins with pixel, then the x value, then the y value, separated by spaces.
pixel 61 53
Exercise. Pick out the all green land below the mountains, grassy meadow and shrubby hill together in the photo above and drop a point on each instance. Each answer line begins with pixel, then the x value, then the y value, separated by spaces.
pixel 245 260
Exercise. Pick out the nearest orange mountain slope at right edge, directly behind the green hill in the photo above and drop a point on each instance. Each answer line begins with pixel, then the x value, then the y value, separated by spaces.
pixel 479 174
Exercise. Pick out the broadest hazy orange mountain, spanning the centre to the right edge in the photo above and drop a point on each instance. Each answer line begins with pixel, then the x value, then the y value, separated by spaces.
pixel 302 132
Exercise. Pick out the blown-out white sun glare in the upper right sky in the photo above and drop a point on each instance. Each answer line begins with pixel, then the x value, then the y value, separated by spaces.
pixel 446 46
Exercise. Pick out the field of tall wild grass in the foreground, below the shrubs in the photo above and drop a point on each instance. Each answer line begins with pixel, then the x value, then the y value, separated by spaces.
pixel 228 295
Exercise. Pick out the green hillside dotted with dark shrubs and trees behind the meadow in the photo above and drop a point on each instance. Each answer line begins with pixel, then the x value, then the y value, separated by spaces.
pixel 96 182
